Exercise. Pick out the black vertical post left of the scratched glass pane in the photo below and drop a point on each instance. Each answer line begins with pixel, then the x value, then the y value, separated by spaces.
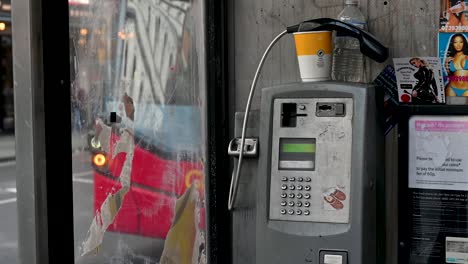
pixel 57 118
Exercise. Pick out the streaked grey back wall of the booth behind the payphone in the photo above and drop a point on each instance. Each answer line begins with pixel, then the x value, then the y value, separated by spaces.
pixel 407 27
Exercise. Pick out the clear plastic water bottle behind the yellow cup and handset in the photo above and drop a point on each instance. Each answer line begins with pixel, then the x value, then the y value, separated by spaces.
pixel 348 61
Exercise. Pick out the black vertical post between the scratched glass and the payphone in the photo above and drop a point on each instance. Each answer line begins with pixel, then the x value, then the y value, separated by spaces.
pixel 219 236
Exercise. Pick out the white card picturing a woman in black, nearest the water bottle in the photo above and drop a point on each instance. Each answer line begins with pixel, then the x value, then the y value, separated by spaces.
pixel 419 80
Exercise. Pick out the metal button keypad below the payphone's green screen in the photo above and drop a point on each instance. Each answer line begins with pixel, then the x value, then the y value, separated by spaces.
pixel 295 196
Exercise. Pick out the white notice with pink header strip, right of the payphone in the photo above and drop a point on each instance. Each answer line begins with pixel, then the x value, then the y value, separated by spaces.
pixel 438 152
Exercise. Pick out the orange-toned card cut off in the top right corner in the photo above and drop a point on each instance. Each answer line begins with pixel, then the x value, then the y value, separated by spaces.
pixel 453 16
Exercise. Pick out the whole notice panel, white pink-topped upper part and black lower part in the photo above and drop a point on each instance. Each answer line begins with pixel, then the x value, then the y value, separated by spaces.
pixel 437 196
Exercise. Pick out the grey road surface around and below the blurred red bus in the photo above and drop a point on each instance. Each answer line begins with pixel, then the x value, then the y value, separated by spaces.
pixel 116 249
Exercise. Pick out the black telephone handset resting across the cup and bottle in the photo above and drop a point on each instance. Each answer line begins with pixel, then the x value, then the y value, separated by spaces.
pixel 369 45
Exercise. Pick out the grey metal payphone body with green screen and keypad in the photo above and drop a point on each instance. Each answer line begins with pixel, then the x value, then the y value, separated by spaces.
pixel 319 149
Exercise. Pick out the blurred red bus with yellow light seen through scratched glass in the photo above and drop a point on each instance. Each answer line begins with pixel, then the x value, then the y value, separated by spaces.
pixel 166 162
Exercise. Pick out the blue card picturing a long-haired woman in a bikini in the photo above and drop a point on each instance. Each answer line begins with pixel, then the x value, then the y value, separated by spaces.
pixel 453 52
